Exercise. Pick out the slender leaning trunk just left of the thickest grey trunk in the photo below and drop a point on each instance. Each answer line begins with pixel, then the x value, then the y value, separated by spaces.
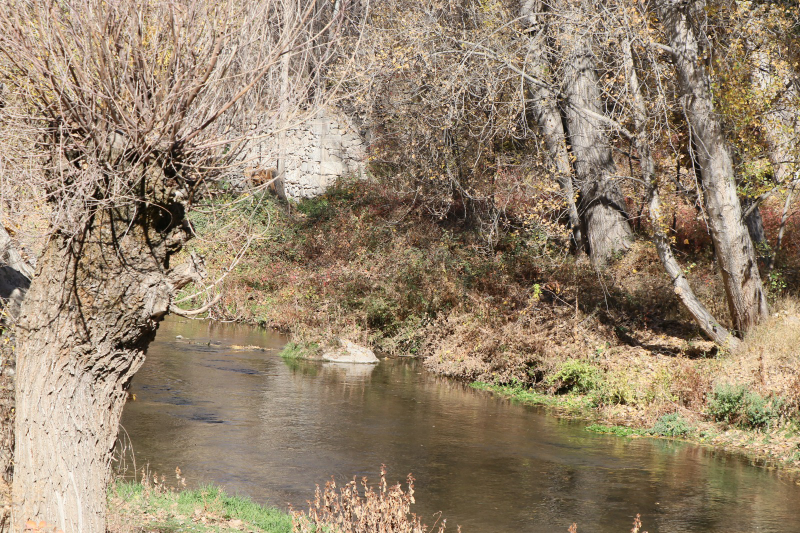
pixel 548 116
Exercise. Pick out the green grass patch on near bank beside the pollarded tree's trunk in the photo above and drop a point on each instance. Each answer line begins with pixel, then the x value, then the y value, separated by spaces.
pixel 207 509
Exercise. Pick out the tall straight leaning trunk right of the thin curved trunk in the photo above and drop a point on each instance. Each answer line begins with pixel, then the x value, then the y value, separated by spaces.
pixel 734 249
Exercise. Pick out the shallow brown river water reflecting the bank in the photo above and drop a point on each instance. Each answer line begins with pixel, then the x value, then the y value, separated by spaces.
pixel 268 428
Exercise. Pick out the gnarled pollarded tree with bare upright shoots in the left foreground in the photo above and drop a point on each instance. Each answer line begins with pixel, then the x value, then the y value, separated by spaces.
pixel 137 103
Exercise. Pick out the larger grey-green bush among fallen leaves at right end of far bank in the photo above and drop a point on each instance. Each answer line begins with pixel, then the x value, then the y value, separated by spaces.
pixel 734 404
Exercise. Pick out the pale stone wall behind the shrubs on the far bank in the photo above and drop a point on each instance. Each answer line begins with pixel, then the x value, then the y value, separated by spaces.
pixel 318 152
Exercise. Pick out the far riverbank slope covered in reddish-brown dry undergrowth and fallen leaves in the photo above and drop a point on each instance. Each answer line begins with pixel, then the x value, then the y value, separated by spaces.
pixel 613 347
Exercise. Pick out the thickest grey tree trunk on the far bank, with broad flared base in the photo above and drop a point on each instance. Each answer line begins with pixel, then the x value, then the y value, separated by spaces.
pixel 602 207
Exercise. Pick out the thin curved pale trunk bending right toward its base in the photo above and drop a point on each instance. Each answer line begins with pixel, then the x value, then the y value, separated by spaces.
pixel 680 284
